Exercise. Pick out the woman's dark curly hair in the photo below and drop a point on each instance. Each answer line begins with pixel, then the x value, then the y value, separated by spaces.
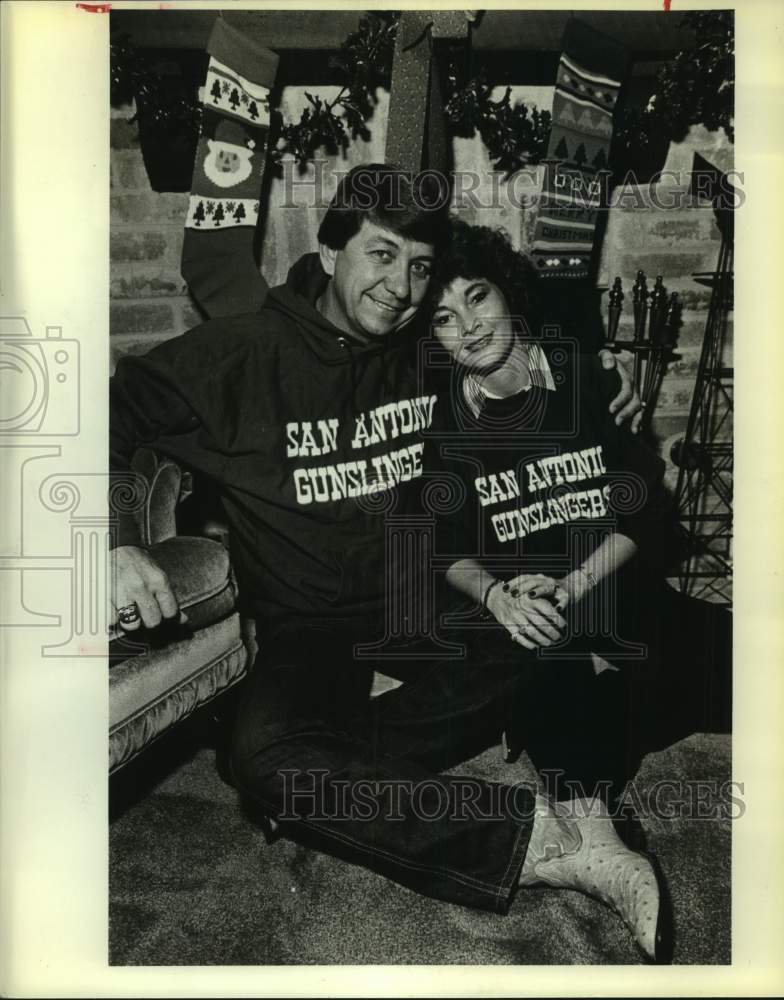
pixel 481 252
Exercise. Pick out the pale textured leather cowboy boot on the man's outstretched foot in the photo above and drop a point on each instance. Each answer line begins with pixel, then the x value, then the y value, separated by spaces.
pixel 574 846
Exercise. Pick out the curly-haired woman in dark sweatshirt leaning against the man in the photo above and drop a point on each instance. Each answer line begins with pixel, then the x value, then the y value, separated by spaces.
pixel 559 534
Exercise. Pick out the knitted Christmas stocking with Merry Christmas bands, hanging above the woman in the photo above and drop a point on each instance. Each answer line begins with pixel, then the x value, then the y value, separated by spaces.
pixel 586 90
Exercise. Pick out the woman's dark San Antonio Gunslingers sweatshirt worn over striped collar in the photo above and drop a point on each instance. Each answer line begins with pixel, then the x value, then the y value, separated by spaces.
pixel 545 475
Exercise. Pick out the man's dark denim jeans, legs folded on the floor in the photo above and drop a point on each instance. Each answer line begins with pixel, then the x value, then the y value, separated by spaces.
pixel 360 779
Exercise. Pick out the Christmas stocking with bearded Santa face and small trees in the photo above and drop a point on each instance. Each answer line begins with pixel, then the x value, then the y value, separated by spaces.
pixel 217 254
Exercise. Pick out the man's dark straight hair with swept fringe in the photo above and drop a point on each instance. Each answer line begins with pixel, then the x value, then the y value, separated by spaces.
pixel 415 207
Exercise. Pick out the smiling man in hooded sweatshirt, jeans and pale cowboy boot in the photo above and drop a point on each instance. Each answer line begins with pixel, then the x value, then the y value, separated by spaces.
pixel 310 418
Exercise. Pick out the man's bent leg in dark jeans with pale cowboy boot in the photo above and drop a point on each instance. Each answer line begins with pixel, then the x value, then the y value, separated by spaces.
pixel 392 814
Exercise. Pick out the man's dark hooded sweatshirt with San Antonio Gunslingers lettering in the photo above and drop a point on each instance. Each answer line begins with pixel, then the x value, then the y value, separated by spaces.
pixel 313 438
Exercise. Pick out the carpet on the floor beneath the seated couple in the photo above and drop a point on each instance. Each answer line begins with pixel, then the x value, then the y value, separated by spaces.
pixel 192 881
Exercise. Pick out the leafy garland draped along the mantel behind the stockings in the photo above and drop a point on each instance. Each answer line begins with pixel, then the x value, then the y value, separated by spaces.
pixel 695 87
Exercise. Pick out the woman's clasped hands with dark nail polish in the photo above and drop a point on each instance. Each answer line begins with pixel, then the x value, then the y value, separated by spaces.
pixel 531 621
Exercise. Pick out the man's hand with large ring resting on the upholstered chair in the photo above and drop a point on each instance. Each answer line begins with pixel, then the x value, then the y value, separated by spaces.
pixel 139 580
